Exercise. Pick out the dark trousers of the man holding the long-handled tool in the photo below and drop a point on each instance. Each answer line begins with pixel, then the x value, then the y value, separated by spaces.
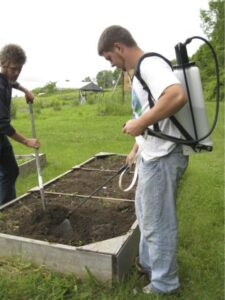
pixel 8 171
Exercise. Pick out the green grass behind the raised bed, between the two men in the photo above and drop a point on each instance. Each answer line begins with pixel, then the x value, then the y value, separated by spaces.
pixel 70 136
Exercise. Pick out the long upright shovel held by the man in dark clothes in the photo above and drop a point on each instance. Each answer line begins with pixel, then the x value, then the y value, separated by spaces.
pixel 40 181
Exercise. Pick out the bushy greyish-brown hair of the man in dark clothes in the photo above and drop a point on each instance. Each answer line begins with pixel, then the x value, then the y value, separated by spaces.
pixel 12 53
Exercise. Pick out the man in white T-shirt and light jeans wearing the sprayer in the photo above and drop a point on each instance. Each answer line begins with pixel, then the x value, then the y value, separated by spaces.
pixel 162 162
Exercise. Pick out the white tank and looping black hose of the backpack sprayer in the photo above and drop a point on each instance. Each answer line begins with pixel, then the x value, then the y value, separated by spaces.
pixel 193 115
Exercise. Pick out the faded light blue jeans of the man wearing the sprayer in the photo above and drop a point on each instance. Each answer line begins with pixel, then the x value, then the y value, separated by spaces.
pixel 155 205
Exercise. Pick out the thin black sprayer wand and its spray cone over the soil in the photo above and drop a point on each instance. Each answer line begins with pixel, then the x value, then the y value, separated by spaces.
pixel 64 229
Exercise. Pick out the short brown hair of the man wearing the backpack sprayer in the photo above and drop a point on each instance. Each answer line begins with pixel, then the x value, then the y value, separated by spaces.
pixel 114 34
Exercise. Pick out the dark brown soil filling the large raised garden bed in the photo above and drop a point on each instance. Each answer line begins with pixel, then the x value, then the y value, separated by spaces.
pixel 109 214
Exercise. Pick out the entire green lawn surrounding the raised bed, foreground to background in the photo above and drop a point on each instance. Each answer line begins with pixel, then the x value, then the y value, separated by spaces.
pixel 74 134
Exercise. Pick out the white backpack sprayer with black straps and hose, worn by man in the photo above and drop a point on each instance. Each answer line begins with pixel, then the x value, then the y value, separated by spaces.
pixel 192 119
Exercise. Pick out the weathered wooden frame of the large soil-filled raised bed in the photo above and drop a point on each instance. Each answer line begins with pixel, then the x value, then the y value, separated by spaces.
pixel 108 260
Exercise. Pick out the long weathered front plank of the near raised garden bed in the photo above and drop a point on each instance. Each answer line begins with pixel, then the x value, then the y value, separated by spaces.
pixel 60 258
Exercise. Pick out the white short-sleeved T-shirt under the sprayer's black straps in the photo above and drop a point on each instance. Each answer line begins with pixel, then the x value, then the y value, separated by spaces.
pixel 158 75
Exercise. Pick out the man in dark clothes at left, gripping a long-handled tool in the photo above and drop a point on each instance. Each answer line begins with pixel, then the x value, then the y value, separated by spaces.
pixel 12 59
